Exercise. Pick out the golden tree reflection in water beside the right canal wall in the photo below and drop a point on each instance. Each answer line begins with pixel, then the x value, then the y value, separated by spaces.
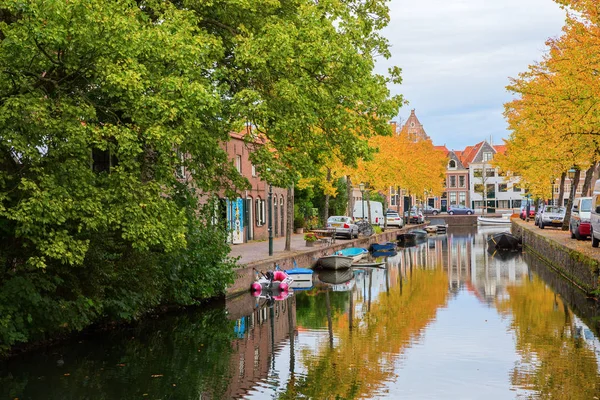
pixel 554 363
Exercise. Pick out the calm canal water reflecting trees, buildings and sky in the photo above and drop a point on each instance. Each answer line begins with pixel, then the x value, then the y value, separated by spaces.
pixel 443 320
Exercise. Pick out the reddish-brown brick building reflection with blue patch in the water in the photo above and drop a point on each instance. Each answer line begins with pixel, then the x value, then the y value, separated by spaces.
pixel 259 335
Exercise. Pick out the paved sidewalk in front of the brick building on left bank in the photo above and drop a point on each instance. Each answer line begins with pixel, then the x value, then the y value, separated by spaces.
pixel 259 250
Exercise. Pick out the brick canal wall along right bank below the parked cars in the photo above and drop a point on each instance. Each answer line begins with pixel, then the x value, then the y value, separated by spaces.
pixel 572 259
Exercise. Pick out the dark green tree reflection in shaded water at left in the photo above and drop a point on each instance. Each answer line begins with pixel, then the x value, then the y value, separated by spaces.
pixel 185 356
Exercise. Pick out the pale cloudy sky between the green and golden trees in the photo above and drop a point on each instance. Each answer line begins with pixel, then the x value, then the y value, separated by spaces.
pixel 456 57
